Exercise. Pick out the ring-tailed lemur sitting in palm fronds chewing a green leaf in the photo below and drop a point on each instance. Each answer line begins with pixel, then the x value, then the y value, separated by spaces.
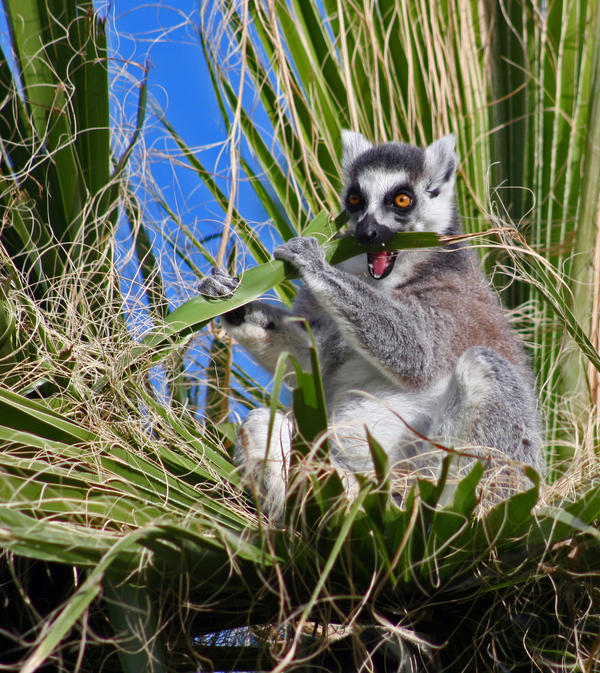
pixel 409 340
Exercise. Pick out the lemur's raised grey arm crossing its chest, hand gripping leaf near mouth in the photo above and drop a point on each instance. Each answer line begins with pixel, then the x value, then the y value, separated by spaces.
pixel 392 336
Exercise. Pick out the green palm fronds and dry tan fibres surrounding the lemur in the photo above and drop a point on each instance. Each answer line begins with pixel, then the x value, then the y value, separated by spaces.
pixel 126 543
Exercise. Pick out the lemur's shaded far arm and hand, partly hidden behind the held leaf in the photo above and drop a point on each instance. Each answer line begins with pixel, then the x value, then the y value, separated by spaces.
pixel 265 331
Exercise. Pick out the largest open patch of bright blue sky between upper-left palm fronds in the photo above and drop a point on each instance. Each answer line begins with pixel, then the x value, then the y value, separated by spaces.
pixel 163 35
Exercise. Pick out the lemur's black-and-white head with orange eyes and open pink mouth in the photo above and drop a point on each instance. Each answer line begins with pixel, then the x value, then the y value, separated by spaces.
pixel 396 187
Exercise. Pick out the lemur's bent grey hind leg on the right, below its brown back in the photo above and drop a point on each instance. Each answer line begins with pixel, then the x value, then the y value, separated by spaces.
pixel 487 404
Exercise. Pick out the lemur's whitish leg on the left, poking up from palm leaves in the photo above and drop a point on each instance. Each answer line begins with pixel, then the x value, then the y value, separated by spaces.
pixel 262 457
